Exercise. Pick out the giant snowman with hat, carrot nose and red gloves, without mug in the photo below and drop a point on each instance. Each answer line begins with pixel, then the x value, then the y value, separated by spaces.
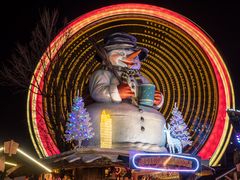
pixel 114 87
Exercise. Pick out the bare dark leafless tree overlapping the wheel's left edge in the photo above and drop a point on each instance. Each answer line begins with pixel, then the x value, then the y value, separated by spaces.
pixel 19 71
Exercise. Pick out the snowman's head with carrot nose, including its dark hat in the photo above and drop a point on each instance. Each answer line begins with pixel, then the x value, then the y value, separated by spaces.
pixel 123 51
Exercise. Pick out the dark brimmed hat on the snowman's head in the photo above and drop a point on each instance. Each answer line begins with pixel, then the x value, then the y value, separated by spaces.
pixel 122 40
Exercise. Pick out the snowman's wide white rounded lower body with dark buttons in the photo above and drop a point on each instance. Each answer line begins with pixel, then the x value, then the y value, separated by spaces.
pixel 130 124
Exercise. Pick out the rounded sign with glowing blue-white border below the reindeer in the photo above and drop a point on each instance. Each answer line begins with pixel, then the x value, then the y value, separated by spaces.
pixel 164 162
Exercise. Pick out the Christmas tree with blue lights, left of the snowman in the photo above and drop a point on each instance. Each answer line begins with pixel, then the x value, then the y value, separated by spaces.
pixel 79 126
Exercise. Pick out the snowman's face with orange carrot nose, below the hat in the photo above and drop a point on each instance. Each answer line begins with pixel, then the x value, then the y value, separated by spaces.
pixel 125 58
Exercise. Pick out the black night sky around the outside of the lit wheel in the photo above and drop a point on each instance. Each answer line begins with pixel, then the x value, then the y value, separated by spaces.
pixel 18 18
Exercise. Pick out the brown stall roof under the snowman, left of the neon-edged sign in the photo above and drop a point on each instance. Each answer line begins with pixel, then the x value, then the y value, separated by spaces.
pixel 88 157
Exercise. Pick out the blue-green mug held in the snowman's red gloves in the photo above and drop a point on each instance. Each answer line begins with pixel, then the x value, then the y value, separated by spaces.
pixel 146 94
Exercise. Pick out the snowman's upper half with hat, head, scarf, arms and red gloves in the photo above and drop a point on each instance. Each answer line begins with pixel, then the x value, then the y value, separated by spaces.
pixel 118 81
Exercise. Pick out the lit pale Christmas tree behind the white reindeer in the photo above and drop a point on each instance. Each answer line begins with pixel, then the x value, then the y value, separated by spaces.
pixel 179 128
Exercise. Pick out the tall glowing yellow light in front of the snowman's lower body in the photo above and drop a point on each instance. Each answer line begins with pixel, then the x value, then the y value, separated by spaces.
pixel 105 130
